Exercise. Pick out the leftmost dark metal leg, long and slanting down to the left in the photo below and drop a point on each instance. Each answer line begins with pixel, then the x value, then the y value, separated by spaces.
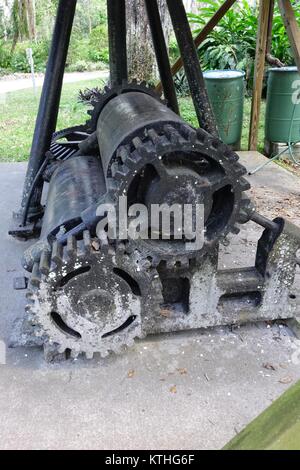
pixel 49 103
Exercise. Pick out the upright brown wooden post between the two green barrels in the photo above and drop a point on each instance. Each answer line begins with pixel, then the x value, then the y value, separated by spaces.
pixel 261 49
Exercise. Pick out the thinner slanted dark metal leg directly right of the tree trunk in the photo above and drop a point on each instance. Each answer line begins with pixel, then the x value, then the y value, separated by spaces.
pixel 162 55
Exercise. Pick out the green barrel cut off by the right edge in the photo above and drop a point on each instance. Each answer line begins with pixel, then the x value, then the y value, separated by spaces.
pixel 281 108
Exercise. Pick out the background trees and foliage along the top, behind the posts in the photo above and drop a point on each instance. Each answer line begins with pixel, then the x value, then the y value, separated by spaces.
pixel 231 45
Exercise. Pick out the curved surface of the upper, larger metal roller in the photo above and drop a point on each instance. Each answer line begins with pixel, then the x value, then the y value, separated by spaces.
pixel 127 116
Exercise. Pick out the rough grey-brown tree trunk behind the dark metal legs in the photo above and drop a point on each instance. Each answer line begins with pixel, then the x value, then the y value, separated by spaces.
pixel 141 57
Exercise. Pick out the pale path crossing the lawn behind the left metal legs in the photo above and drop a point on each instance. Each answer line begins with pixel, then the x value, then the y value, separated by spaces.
pixel 7 86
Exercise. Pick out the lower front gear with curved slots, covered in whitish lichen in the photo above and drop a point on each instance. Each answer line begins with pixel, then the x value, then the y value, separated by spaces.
pixel 88 298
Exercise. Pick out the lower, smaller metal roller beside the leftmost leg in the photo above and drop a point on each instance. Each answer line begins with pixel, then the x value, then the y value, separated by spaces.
pixel 77 184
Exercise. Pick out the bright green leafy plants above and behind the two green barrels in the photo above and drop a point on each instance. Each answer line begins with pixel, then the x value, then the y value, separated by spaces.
pixel 232 44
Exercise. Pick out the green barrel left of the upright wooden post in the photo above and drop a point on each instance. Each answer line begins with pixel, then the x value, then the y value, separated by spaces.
pixel 226 93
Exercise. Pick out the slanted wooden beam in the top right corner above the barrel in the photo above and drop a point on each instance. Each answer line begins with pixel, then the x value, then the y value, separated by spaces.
pixel 292 28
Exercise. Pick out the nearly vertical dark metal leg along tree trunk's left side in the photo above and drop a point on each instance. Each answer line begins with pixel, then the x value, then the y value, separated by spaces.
pixel 116 13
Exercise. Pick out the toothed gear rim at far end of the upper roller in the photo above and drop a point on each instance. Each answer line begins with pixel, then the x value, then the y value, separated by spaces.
pixel 101 99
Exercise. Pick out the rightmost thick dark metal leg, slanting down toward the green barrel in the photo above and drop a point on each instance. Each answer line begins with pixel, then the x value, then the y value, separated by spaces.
pixel 192 66
